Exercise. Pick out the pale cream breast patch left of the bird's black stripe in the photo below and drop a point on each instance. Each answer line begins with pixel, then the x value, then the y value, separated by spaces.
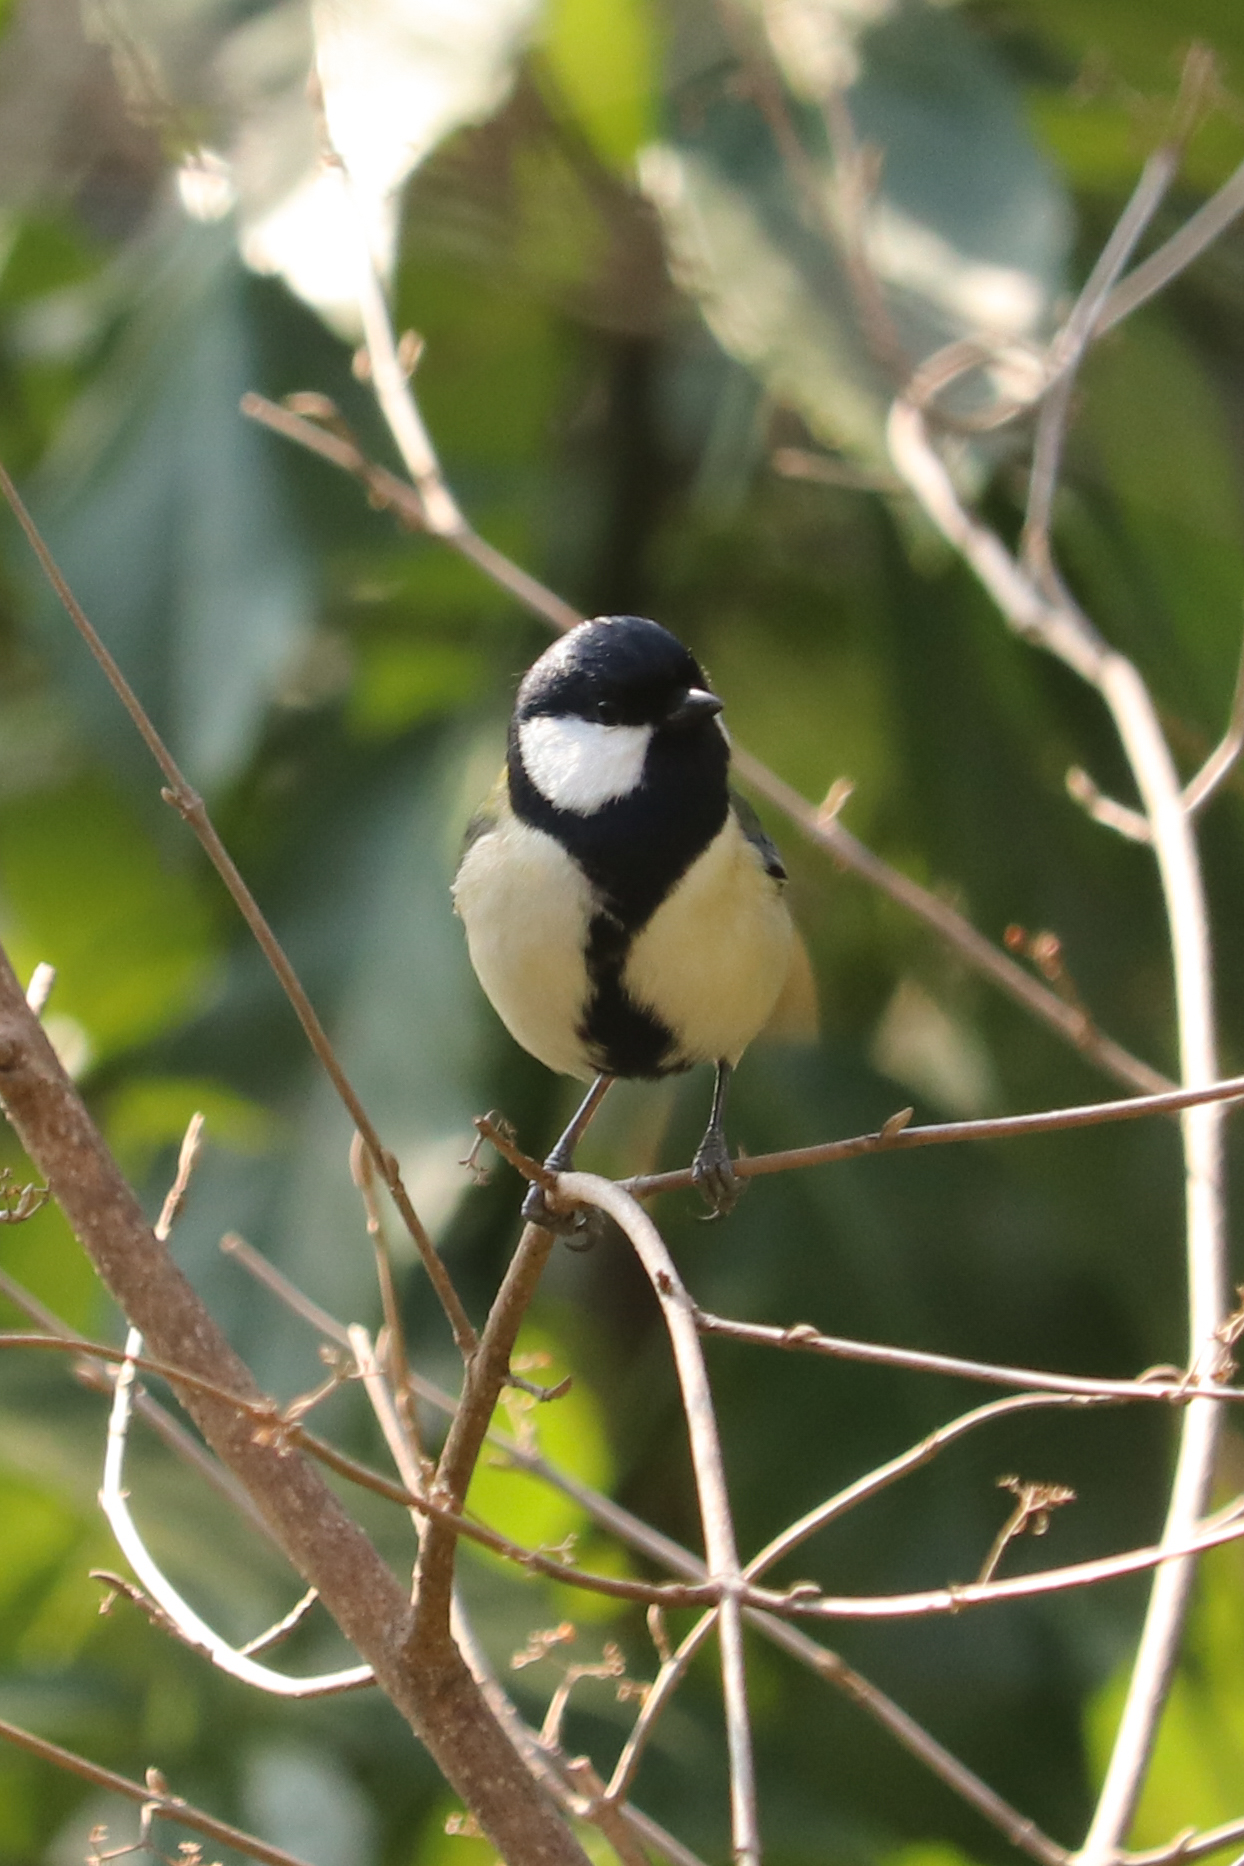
pixel 525 906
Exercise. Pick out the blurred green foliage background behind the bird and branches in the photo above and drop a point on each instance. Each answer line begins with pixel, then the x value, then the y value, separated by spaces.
pixel 654 383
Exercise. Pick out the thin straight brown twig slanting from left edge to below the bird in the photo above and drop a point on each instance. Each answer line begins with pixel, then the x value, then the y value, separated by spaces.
pixel 189 805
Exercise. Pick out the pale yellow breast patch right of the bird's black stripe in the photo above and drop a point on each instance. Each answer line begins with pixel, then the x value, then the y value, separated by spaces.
pixel 715 956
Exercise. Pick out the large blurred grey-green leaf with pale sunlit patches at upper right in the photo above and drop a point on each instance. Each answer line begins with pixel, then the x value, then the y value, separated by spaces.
pixel 967 229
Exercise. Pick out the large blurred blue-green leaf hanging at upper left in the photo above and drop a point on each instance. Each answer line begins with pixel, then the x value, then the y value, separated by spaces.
pixel 167 514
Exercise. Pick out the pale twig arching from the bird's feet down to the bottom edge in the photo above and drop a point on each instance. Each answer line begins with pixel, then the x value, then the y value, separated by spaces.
pixel 713 1496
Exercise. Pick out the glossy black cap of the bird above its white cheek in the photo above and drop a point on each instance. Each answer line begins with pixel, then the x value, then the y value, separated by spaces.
pixel 618 671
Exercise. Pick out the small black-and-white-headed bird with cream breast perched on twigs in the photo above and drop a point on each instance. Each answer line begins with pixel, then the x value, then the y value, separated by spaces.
pixel 624 910
